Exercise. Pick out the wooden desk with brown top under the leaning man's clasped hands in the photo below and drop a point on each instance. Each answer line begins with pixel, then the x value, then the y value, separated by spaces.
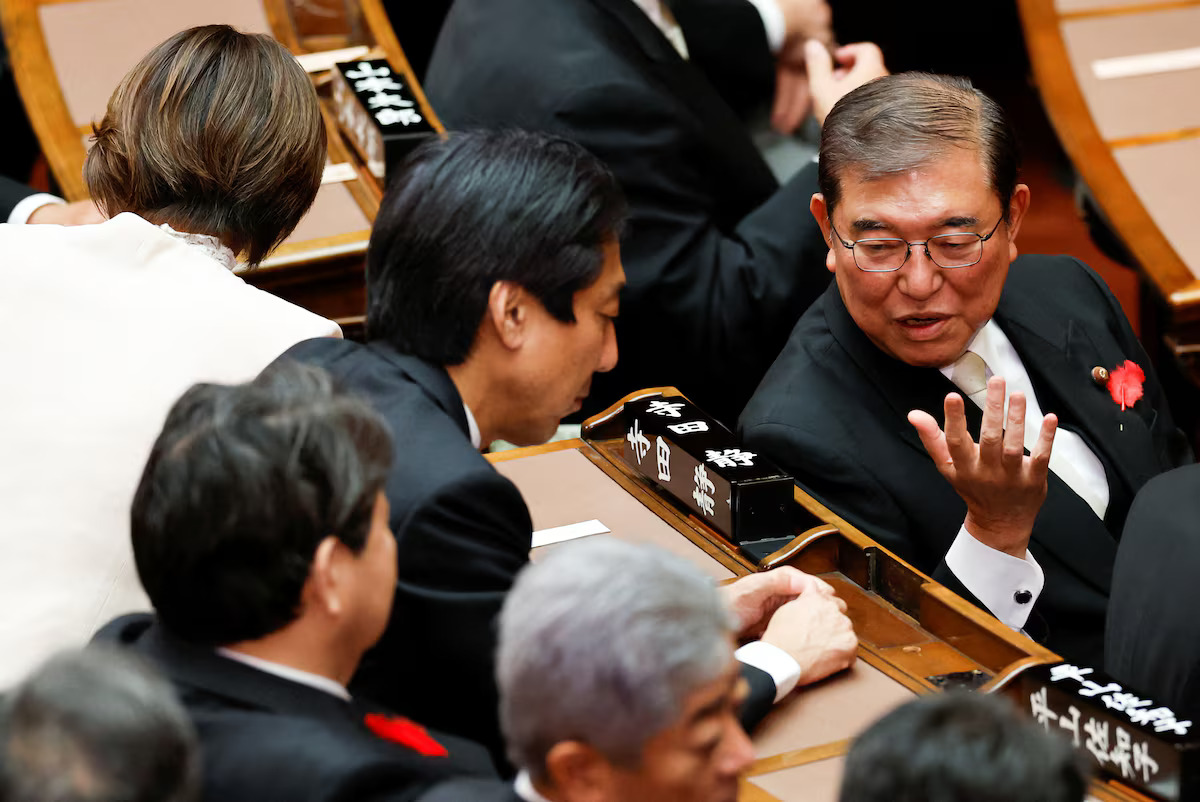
pixel 915 636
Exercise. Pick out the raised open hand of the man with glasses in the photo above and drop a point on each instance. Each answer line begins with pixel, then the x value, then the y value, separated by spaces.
pixel 1003 487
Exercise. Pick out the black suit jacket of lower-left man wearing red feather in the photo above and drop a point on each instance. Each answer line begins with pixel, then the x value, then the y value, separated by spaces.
pixel 265 738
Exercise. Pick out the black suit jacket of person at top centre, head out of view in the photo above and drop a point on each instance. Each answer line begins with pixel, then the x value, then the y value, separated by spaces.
pixel 722 261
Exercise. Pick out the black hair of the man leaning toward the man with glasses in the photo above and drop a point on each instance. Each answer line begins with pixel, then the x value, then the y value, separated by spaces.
pixel 477 208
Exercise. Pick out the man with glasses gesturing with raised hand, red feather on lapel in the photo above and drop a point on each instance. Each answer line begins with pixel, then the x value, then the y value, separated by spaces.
pixel 921 207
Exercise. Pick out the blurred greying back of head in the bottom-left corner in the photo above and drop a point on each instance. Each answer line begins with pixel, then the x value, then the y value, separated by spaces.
pixel 97 727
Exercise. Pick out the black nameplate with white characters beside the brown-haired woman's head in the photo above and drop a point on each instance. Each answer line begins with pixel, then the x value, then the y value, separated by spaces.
pixel 379 113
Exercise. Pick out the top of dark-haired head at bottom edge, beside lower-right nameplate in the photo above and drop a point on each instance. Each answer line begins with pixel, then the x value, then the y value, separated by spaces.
pixel 962 747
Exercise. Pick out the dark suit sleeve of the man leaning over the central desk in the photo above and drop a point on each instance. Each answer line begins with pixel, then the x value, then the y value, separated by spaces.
pixel 458 554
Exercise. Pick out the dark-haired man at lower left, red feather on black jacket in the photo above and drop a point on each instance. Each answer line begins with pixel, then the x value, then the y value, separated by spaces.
pixel 261 536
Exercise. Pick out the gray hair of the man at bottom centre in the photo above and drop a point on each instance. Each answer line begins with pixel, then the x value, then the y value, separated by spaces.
pixel 603 642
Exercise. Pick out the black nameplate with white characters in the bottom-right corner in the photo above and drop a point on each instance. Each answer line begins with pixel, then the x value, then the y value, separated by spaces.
pixel 1126 735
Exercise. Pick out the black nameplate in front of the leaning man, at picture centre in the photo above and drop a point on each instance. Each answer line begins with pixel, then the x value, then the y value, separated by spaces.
pixel 700 463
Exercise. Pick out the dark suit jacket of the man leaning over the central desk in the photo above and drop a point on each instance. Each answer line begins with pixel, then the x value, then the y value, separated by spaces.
pixel 463 534
